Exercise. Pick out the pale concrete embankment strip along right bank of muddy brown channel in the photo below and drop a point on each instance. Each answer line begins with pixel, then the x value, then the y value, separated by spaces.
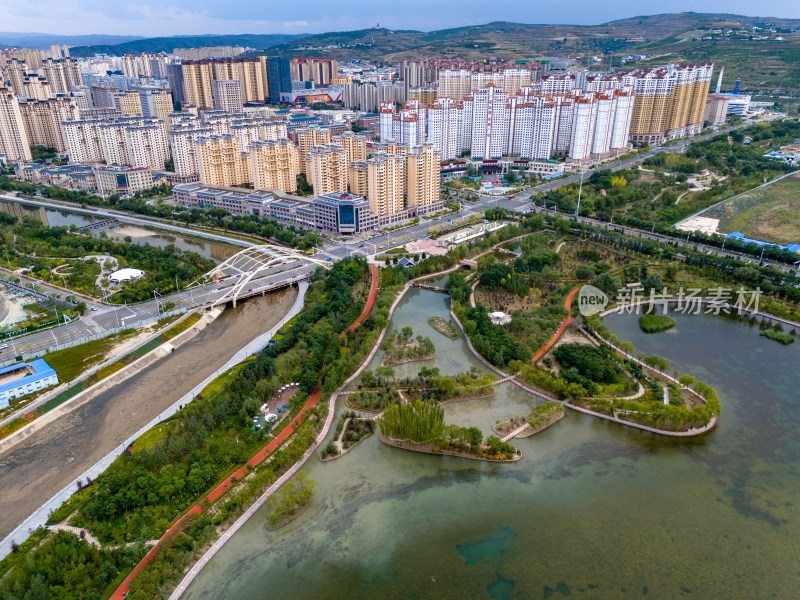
pixel 40 516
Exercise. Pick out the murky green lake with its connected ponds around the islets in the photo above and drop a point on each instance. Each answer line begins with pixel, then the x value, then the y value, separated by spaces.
pixel 593 510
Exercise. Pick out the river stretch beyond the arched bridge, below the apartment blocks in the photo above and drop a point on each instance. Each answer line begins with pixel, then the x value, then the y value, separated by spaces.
pixel 65 218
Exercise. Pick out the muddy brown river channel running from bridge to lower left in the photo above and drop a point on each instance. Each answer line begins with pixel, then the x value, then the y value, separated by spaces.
pixel 50 459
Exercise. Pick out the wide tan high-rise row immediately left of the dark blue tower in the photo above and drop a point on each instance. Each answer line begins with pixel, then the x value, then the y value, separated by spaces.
pixel 199 76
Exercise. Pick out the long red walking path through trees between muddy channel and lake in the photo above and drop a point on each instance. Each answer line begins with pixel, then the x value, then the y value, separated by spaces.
pixel 212 497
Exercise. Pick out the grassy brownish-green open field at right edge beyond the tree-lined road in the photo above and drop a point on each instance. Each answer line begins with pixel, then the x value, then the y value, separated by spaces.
pixel 771 213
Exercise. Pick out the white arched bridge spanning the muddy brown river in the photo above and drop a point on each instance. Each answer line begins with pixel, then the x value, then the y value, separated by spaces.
pixel 256 261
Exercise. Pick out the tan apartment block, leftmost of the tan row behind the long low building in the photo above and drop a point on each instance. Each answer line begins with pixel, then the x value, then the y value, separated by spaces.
pixel 220 161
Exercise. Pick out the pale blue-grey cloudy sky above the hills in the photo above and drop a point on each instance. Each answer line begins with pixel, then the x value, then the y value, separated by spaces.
pixel 181 17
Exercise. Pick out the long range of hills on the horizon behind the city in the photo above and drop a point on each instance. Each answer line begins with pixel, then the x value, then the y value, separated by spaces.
pixel 764 65
